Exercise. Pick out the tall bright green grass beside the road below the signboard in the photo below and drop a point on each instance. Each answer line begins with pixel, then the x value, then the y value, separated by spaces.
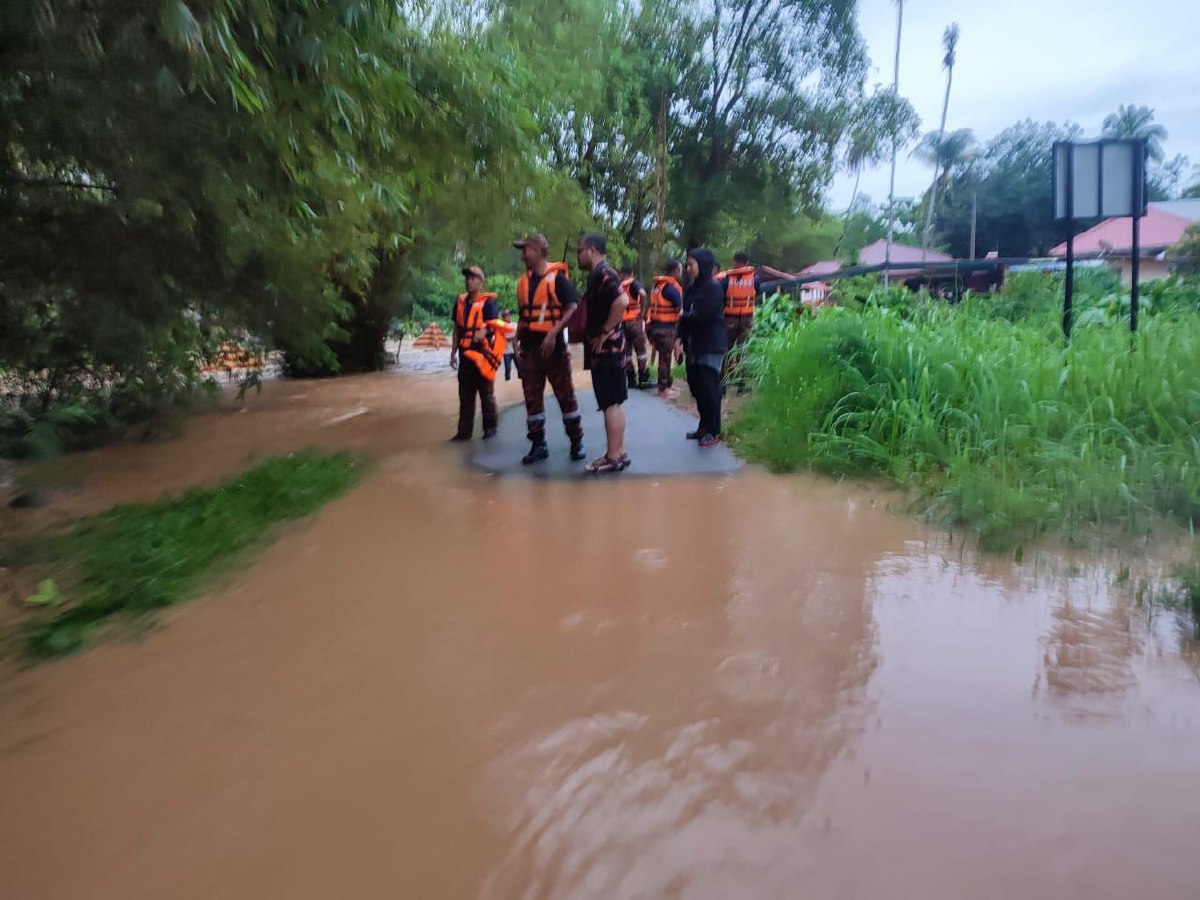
pixel 994 423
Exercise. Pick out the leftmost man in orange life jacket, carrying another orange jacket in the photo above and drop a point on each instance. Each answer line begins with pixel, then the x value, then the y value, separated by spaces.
pixel 472 311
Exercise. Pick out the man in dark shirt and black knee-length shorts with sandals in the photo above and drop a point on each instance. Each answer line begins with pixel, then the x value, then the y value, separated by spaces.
pixel 605 334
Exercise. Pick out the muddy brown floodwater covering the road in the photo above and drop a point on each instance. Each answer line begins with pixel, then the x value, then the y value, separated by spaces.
pixel 452 686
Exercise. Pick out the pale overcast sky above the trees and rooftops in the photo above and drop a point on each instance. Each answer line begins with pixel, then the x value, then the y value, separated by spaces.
pixel 1048 61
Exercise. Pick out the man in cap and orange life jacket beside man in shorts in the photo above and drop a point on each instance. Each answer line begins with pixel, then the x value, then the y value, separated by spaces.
pixel 545 302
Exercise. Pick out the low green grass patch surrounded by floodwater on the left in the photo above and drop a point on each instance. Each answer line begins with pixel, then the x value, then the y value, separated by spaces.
pixel 137 559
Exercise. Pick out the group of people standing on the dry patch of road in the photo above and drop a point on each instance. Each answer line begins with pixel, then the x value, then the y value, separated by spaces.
pixel 692 313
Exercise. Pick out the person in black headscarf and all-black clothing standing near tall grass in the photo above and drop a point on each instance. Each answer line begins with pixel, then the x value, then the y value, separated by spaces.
pixel 705 341
